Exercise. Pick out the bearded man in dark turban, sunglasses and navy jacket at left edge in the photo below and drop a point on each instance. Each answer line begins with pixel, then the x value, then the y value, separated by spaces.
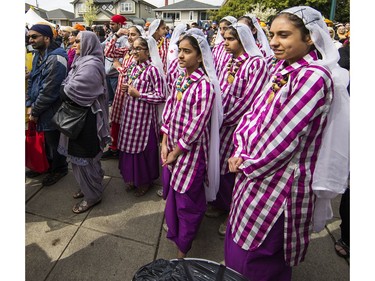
pixel 43 96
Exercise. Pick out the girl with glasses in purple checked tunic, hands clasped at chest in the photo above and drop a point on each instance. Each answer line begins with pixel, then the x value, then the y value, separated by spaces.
pixel 143 90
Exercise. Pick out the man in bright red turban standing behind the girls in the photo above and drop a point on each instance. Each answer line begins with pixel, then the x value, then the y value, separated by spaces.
pixel 112 74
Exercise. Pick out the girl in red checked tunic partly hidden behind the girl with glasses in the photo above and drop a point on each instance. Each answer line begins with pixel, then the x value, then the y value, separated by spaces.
pixel 112 51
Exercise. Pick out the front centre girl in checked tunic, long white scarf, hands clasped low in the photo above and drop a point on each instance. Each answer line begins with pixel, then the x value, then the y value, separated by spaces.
pixel 189 152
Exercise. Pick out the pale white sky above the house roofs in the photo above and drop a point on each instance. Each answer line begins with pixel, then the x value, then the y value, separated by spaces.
pixel 65 4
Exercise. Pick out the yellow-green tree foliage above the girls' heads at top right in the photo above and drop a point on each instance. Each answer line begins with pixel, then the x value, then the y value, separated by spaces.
pixel 237 8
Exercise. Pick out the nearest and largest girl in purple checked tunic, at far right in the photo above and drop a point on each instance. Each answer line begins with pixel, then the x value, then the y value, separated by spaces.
pixel 276 150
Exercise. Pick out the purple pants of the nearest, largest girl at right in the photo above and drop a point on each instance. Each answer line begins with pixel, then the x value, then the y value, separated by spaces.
pixel 266 263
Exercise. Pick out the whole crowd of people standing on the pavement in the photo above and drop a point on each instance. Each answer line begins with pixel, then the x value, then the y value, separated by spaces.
pixel 240 121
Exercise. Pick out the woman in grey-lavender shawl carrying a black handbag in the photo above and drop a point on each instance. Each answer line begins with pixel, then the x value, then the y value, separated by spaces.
pixel 85 87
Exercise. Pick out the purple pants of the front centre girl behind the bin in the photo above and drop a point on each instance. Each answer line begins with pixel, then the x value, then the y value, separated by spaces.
pixel 184 212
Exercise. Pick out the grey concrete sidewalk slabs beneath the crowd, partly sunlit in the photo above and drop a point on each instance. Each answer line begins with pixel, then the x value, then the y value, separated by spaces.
pixel 121 234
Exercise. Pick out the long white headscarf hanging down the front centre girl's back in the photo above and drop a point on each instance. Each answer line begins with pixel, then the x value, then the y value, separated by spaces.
pixel 216 118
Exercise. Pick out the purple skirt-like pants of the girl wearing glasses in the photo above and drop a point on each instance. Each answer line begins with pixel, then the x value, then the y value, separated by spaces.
pixel 141 168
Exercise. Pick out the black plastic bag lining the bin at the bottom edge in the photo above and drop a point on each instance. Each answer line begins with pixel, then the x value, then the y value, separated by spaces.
pixel 186 270
